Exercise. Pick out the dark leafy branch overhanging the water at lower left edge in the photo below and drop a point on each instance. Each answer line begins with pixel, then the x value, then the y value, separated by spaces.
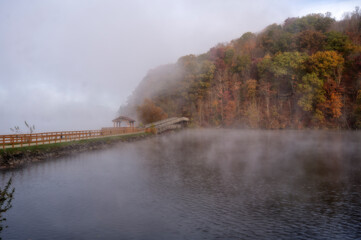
pixel 6 197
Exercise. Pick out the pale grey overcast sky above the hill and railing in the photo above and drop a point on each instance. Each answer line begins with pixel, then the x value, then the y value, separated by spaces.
pixel 70 64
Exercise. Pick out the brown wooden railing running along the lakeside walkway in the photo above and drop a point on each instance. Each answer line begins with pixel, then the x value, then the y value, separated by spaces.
pixel 20 140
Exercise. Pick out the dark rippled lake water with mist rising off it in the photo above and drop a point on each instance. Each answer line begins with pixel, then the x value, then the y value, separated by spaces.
pixel 196 184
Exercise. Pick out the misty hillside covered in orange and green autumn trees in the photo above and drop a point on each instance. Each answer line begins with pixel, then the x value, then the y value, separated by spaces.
pixel 304 73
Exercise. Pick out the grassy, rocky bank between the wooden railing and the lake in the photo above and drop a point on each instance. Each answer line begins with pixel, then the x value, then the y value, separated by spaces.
pixel 18 157
